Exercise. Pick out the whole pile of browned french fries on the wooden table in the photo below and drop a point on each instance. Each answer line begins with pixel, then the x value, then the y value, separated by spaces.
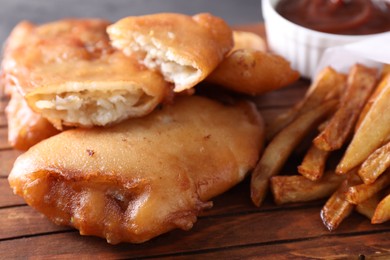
pixel 348 115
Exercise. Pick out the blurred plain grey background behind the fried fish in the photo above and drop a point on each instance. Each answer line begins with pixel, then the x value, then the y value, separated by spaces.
pixel 39 11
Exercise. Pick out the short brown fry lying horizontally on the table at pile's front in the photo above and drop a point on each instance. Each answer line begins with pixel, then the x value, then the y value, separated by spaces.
pixel 296 188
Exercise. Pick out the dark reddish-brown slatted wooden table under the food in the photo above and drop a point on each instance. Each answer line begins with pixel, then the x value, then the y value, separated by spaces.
pixel 233 228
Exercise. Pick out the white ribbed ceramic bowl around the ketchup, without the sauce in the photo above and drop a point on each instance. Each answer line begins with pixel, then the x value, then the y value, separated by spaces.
pixel 303 47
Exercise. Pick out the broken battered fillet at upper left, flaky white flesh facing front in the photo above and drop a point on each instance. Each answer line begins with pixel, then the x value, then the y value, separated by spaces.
pixel 70 74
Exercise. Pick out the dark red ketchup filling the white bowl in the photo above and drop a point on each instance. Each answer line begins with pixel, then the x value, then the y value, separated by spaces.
pixel 351 17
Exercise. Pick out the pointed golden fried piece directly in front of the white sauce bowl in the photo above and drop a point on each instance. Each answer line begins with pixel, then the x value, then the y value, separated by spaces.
pixel 253 72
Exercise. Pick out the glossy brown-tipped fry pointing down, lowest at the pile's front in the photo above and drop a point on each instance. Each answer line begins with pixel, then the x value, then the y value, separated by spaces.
pixel 337 208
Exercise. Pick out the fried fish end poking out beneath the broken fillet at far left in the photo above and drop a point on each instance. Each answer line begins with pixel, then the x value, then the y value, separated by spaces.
pixel 25 127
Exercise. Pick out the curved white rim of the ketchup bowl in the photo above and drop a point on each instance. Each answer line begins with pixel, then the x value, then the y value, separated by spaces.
pixel 270 5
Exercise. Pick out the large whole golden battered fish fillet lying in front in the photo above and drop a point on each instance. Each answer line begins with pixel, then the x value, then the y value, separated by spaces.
pixel 142 177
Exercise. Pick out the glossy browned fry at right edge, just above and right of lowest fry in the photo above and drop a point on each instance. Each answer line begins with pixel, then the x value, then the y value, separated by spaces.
pixel 359 193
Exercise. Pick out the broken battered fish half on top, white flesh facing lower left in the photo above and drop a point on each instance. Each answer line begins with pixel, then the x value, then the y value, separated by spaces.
pixel 184 49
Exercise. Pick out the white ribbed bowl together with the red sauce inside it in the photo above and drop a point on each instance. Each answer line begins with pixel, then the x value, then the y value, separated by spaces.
pixel 301 30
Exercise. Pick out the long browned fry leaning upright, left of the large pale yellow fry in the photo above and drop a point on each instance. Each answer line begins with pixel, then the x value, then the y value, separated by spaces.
pixel 361 82
